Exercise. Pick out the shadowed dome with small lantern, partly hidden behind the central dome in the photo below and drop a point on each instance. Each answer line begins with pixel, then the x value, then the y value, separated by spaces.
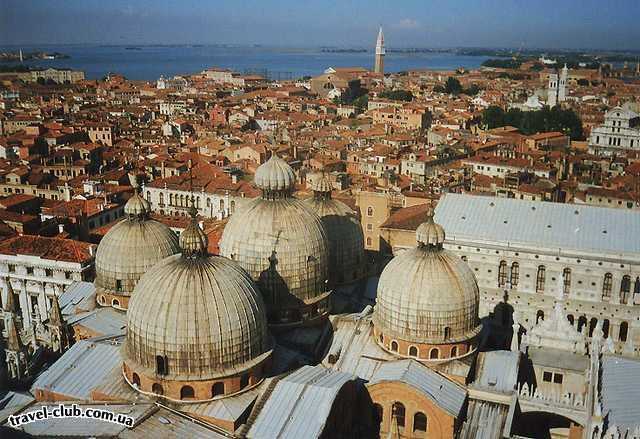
pixel 346 241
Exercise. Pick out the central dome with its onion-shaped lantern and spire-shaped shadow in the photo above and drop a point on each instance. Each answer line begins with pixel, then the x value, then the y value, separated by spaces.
pixel 283 246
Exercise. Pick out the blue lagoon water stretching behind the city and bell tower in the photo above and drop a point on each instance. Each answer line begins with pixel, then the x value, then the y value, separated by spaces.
pixel 150 62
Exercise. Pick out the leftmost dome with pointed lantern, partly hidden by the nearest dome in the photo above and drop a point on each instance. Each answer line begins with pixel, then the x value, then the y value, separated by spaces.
pixel 128 250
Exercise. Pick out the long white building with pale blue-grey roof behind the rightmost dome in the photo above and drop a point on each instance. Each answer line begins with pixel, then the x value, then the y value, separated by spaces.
pixel 539 253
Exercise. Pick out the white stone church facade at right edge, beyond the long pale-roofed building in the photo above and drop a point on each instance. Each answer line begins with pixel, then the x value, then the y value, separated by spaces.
pixel 620 133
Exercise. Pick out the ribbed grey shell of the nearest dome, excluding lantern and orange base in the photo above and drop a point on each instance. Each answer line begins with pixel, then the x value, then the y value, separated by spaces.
pixel 203 314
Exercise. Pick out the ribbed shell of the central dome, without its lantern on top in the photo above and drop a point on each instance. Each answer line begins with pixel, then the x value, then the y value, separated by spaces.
pixel 282 245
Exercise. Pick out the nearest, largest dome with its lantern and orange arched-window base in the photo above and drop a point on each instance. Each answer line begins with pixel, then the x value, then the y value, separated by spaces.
pixel 196 326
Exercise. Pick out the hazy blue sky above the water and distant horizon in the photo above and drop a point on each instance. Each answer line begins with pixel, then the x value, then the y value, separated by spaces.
pixel 300 23
